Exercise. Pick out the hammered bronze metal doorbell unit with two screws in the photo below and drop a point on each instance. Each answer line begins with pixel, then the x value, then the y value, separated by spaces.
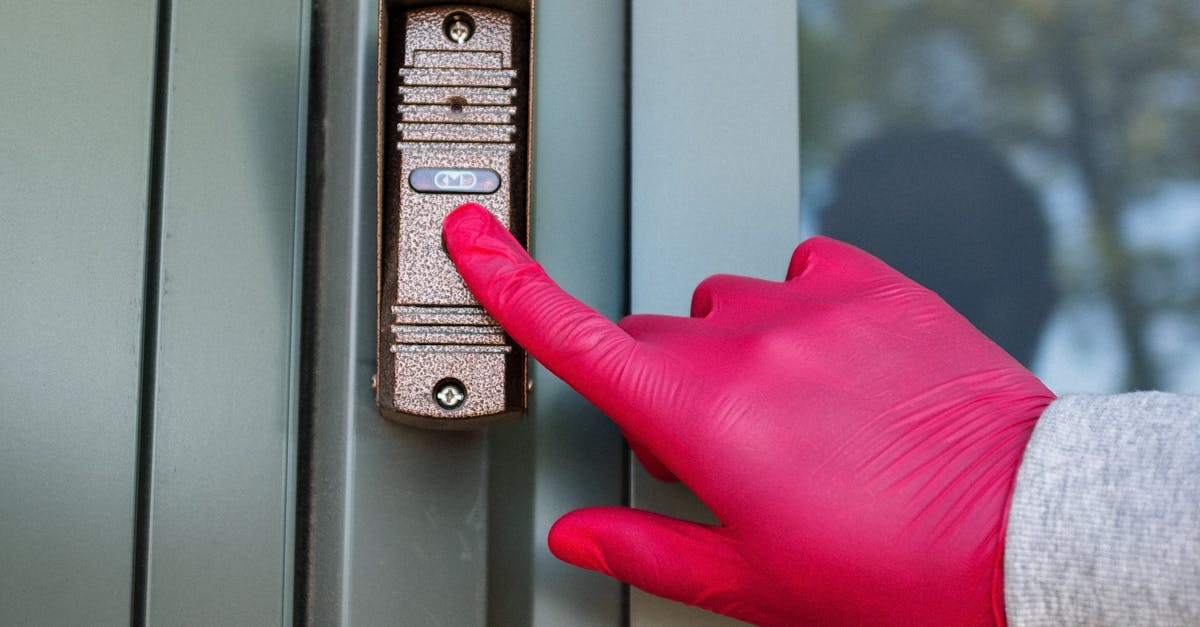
pixel 448 108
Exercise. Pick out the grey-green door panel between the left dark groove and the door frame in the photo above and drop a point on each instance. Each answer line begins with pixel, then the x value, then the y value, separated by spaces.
pixel 221 480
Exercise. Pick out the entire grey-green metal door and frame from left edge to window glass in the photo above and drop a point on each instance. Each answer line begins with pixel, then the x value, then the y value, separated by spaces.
pixel 187 356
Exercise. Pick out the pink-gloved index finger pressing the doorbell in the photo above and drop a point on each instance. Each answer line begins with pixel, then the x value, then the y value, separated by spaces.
pixel 573 341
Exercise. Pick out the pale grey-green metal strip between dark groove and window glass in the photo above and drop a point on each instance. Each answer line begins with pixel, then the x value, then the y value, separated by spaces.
pixel 715 178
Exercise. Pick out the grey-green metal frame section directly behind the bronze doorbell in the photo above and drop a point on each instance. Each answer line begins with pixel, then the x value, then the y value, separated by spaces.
pixel 419 528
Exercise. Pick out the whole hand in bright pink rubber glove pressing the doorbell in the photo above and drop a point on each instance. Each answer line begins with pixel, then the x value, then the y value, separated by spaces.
pixel 857 439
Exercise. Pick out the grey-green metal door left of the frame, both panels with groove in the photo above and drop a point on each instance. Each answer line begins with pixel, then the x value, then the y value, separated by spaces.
pixel 151 217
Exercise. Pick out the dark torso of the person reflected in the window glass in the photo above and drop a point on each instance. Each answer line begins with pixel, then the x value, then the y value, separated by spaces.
pixel 946 210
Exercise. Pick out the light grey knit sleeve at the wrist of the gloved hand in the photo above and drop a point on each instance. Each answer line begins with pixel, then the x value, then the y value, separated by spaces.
pixel 1106 521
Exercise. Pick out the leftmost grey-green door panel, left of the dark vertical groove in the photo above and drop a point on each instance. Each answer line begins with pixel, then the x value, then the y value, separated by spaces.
pixel 76 95
